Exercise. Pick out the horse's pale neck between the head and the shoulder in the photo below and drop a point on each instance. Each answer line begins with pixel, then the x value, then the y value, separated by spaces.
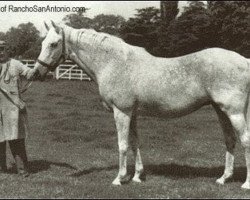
pixel 88 53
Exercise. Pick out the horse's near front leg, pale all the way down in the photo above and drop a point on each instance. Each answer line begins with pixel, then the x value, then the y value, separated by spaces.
pixel 122 121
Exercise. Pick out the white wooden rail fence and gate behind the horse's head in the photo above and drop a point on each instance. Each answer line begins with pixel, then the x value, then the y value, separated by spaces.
pixel 67 70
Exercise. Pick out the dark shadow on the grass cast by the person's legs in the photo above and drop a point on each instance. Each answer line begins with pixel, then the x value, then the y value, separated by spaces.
pixel 36 166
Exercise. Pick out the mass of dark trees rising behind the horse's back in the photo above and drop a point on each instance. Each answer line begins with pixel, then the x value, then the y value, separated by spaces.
pixel 222 24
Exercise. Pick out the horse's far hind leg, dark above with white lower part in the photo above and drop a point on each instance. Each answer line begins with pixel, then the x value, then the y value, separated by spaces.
pixel 230 140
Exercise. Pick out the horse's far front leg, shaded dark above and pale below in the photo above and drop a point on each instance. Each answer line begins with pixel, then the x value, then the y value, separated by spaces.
pixel 134 141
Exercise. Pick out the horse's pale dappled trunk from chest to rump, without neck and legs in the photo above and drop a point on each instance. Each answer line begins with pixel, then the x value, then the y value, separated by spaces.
pixel 176 86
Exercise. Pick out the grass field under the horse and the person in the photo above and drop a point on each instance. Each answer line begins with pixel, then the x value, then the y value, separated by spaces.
pixel 73 151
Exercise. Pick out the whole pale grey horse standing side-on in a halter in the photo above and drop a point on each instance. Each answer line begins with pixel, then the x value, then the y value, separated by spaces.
pixel 130 80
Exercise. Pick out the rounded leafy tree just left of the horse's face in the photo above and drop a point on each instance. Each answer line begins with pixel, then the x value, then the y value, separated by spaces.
pixel 21 39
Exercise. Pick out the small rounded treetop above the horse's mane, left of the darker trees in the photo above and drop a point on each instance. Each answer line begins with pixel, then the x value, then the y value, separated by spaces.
pixel 108 23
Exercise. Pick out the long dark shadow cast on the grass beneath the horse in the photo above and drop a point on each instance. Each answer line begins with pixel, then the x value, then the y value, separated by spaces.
pixel 173 171
